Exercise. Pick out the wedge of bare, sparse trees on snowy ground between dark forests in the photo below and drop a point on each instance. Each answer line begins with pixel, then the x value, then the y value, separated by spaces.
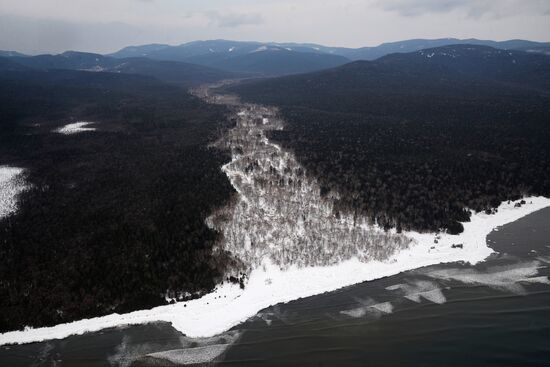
pixel 280 213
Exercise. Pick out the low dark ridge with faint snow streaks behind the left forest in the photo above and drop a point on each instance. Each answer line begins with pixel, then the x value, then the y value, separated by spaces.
pixel 180 73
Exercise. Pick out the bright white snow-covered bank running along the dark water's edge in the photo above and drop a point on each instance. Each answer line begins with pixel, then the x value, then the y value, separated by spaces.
pixel 228 305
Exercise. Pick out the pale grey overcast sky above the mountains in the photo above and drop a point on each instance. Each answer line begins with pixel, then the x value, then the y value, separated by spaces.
pixel 37 26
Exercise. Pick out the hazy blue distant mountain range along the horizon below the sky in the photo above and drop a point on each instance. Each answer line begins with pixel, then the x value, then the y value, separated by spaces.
pixel 207 61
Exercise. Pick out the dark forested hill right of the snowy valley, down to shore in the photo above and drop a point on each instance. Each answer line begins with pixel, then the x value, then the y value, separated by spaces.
pixel 414 140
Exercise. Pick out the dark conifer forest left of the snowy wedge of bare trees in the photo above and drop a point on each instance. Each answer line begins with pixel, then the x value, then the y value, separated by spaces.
pixel 113 219
